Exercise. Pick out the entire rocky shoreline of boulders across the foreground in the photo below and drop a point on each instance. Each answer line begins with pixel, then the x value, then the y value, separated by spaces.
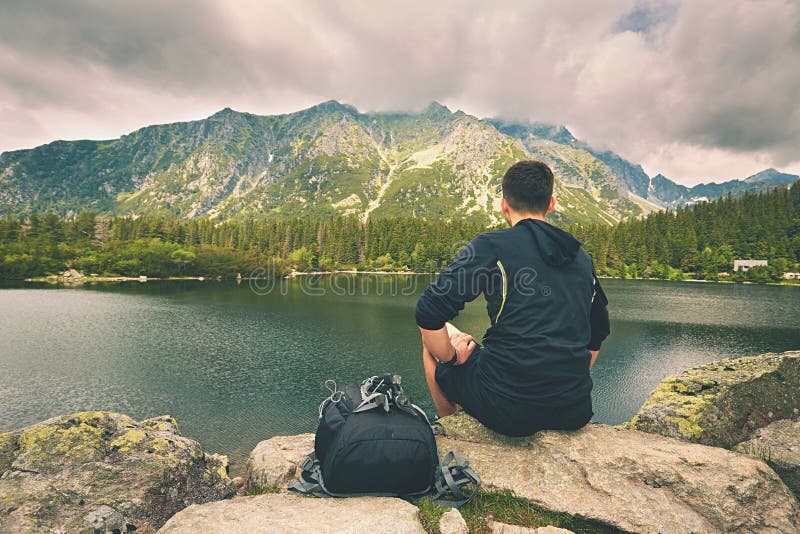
pixel 716 449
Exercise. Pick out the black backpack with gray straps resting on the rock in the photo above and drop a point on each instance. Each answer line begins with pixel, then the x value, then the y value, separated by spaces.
pixel 373 440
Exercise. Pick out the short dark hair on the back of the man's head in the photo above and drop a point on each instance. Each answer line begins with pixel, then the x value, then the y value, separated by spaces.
pixel 528 186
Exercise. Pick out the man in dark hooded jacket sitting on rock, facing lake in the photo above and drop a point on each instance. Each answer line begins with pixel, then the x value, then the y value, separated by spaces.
pixel 547 312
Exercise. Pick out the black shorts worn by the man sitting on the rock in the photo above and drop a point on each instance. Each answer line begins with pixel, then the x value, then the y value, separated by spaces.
pixel 462 385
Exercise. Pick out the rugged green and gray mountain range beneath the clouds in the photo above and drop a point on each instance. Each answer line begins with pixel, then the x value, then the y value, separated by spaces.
pixel 331 159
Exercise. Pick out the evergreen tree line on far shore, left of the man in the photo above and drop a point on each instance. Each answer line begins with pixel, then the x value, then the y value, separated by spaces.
pixel 40 245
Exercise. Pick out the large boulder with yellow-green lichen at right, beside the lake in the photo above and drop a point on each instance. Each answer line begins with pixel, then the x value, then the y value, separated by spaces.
pixel 723 403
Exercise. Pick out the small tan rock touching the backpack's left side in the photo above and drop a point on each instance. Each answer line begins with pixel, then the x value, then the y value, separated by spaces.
pixel 276 461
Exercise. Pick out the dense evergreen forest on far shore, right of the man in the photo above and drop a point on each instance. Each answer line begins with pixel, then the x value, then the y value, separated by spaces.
pixel 702 241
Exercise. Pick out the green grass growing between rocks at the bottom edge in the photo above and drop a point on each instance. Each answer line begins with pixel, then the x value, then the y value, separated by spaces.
pixel 505 507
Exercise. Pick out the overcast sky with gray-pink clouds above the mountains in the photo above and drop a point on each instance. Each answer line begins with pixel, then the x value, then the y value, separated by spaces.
pixel 697 90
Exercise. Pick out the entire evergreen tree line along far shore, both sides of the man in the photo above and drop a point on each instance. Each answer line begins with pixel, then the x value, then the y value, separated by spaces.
pixel 701 241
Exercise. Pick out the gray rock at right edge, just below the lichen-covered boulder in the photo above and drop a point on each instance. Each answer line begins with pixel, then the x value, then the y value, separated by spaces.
pixel 778 444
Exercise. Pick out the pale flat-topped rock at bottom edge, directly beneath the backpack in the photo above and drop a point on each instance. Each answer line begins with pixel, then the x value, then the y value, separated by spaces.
pixel 282 512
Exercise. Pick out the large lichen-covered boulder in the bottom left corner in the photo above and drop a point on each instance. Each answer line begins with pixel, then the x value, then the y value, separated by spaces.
pixel 102 471
